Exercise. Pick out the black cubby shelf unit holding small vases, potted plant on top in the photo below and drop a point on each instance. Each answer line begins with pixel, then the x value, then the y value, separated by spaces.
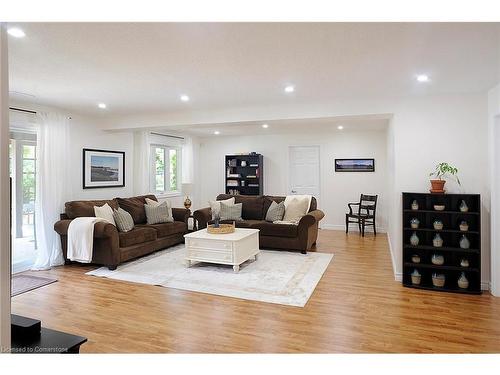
pixel 451 217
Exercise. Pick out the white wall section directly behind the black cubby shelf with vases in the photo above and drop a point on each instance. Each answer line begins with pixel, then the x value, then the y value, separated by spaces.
pixel 429 130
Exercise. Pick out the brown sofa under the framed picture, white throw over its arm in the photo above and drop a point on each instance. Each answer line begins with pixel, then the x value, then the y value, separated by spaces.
pixel 112 247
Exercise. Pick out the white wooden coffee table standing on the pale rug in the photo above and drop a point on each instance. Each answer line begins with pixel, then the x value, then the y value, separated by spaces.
pixel 233 248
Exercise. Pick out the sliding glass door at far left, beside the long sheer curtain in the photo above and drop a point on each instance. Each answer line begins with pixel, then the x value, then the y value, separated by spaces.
pixel 23 174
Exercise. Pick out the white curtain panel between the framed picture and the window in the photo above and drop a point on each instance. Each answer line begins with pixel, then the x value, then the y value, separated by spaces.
pixel 141 163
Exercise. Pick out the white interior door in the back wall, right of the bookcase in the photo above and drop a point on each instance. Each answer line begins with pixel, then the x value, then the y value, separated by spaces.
pixel 304 170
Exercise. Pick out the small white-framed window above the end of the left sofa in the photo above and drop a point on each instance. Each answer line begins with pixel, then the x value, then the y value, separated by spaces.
pixel 165 169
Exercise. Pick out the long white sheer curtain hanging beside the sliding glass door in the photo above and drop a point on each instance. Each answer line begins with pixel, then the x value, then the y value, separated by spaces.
pixel 51 186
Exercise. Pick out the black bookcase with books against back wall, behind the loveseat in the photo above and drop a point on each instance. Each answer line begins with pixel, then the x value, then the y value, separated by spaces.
pixel 244 174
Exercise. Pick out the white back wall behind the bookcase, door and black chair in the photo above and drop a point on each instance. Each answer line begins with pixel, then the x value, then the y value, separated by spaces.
pixel 337 189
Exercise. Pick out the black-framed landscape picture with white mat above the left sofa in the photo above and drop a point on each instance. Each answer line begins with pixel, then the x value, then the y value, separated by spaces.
pixel 103 168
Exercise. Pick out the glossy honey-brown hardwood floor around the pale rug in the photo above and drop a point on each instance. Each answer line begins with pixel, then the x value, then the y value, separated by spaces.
pixel 357 307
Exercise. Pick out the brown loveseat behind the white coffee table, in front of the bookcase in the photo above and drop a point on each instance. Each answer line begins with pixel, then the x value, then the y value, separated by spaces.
pixel 272 236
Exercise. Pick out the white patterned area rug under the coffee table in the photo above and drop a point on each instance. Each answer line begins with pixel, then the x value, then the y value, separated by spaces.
pixel 282 277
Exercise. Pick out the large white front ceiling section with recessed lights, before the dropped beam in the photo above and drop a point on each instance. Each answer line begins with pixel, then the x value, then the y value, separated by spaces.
pixel 141 67
